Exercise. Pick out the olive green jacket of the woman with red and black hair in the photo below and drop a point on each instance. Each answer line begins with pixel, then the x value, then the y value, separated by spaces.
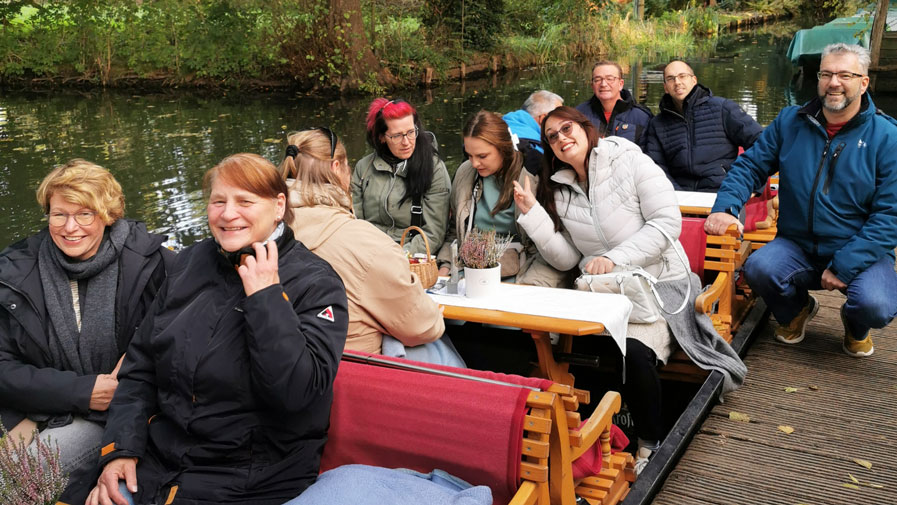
pixel 377 189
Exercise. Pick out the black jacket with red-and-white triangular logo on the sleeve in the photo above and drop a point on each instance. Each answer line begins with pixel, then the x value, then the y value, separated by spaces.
pixel 226 398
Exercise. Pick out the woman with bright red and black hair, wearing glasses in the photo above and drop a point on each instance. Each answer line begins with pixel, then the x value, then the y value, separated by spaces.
pixel 403 182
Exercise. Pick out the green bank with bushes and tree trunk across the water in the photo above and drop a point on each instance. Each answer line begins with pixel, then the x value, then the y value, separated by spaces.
pixel 365 45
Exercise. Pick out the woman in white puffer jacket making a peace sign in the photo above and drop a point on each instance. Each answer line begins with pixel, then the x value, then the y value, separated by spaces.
pixel 591 209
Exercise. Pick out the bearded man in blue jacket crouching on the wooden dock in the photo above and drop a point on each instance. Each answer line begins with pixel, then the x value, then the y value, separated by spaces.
pixel 837 228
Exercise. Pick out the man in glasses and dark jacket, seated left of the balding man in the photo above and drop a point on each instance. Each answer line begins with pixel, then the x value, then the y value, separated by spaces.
pixel 612 109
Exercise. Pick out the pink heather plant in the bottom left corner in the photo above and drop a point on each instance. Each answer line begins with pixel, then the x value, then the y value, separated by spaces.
pixel 29 478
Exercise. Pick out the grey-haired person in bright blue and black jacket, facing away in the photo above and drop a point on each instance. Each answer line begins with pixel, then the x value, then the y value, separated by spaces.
pixel 526 124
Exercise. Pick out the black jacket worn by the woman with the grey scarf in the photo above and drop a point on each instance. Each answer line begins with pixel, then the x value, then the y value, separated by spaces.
pixel 28 384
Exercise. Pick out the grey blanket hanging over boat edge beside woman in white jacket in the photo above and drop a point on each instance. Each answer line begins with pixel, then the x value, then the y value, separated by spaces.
pixel 696 336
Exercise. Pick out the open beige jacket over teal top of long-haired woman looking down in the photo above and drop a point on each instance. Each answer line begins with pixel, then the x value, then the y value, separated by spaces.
pixel 533 269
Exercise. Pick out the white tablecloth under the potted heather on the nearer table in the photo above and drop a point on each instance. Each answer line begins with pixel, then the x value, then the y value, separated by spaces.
pixel 610 310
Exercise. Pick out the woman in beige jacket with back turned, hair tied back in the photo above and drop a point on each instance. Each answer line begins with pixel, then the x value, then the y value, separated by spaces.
pixel 389 312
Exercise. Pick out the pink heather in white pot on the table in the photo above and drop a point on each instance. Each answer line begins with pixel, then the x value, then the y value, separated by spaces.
pixel 480 254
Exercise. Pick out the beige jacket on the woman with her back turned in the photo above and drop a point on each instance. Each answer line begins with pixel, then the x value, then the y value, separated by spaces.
pixel 384 296
